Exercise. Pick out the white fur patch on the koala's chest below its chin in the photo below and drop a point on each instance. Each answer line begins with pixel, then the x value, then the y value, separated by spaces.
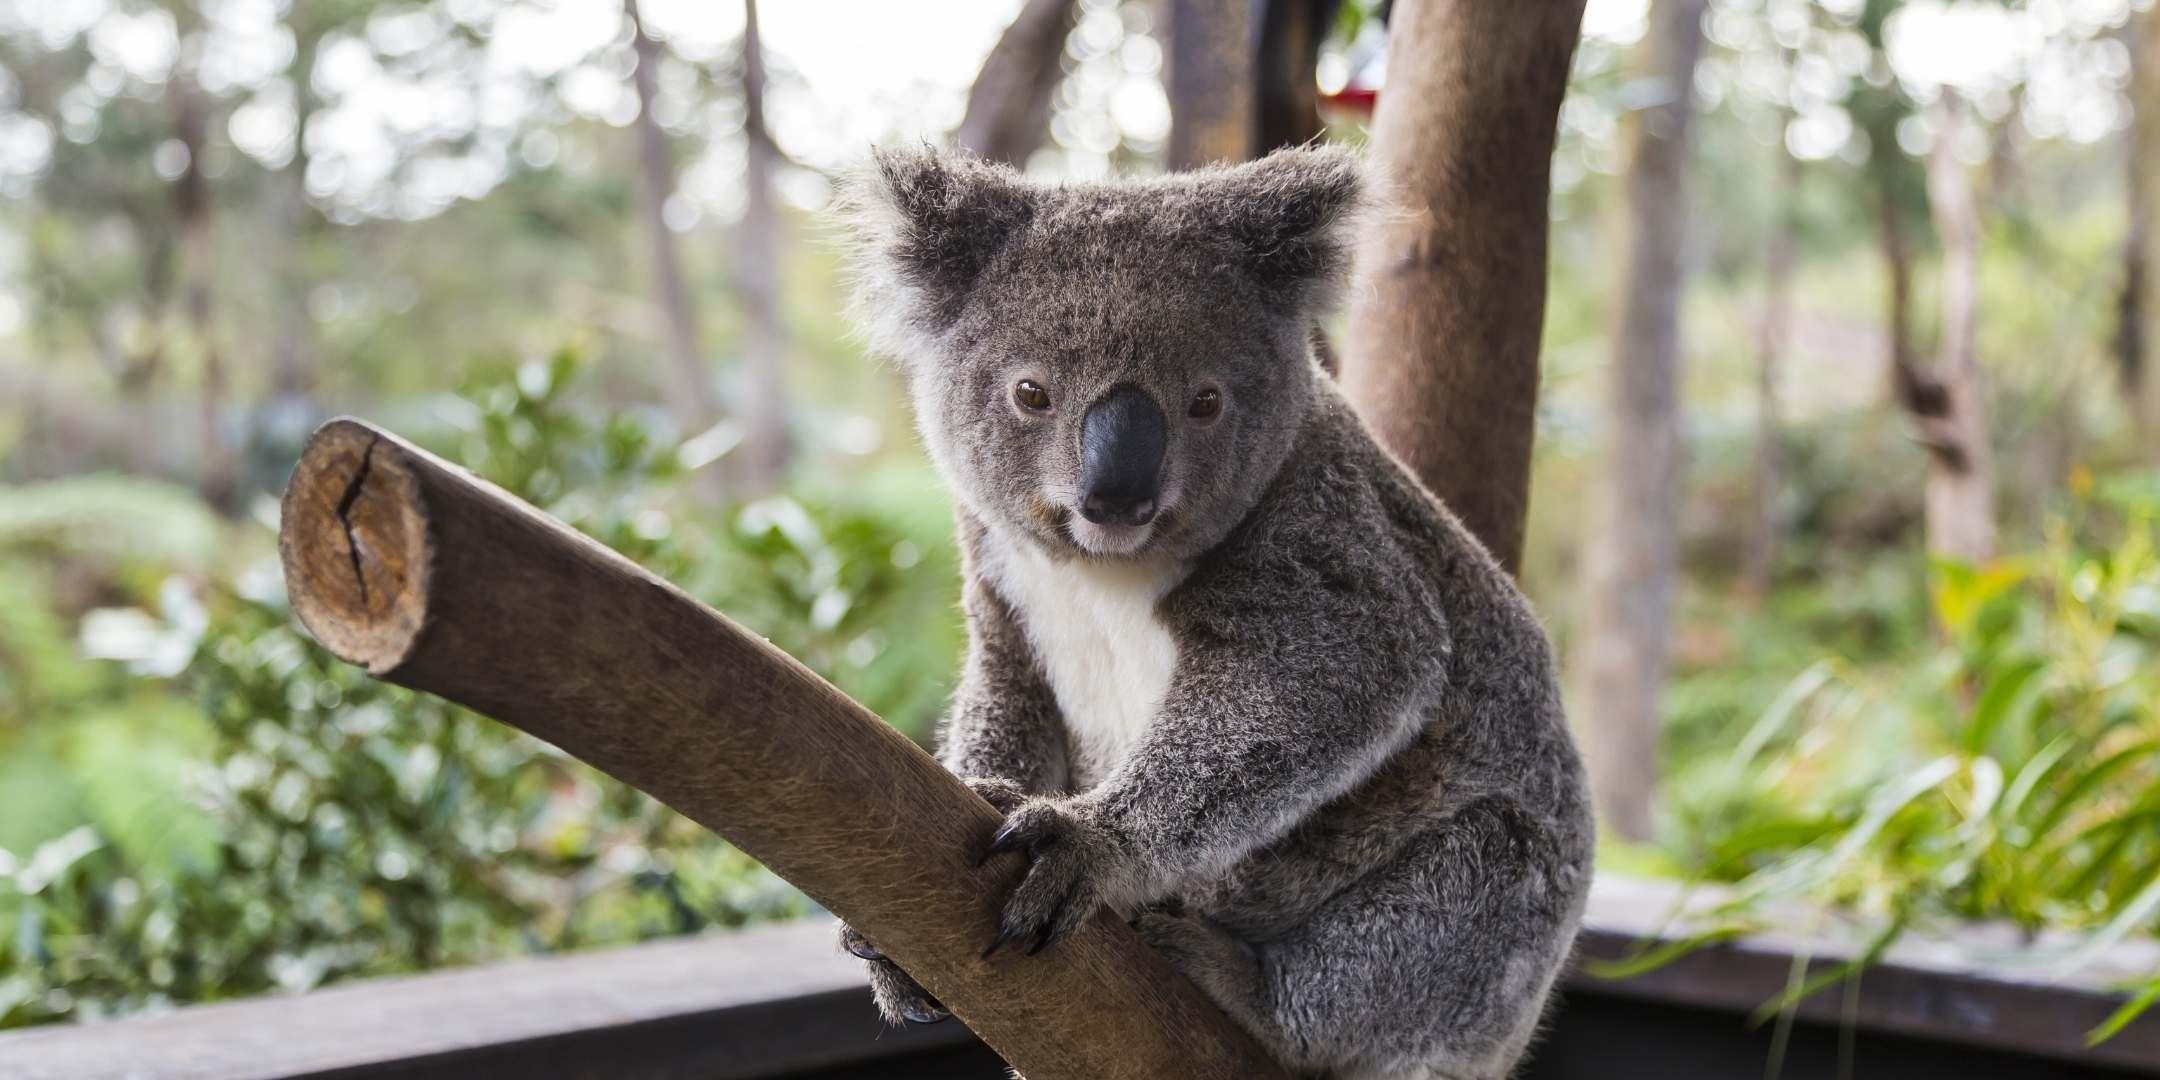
pixel 1096 634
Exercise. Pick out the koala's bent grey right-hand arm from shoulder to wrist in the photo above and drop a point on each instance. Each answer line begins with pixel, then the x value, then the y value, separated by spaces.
pixel 1295 681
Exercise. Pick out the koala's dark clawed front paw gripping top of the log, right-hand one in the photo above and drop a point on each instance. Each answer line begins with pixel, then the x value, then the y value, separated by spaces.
pixel 1070 869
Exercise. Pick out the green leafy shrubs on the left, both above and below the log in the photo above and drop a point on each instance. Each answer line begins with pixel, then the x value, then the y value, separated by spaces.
pixel 265 818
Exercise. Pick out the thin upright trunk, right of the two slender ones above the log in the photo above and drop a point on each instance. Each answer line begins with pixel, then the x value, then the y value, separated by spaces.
pixel 764 455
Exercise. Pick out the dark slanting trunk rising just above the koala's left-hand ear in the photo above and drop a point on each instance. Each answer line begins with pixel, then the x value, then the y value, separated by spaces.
pixel 1010 103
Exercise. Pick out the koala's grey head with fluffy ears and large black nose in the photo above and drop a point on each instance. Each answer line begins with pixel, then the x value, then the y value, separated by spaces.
pixel 1113 370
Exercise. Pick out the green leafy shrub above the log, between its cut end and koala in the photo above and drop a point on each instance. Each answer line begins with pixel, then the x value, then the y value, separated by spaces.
pixel 861 584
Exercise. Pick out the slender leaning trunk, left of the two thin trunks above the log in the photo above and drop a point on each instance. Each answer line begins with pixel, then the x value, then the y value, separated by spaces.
pixel 694 403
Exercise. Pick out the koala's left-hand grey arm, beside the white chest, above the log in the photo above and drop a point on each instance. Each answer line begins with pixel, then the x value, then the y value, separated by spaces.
pixel 1005 720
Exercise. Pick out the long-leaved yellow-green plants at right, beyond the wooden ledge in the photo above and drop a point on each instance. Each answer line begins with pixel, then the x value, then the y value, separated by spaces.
pixel 2010 774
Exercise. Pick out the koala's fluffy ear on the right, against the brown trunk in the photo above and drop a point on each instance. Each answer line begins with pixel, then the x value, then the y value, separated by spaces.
pixel 1293 215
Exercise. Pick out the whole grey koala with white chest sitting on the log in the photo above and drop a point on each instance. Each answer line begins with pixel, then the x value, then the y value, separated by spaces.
pixel 1232 673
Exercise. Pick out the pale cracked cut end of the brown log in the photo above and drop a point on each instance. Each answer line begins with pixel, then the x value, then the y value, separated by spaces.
pixel 355 545
